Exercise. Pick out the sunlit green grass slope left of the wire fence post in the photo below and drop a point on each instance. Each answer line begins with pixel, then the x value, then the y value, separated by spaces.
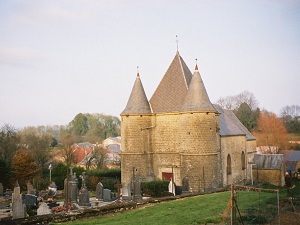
pixel 193 210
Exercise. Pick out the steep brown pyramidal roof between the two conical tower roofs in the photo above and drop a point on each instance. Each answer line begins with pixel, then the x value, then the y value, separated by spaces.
pixel 170 93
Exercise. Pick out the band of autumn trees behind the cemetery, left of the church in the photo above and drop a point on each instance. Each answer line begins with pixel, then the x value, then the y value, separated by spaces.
pixel 25 154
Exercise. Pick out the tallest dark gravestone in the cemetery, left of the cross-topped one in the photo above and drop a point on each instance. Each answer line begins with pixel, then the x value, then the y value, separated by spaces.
pixel 71 189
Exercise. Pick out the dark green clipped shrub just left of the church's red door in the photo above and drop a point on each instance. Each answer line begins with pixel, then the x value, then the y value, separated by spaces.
pixel 155 188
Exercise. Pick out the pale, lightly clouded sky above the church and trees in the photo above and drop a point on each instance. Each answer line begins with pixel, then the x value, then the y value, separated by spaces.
pixel 59 58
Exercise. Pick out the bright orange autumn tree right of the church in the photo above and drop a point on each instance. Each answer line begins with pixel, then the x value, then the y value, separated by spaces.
pixel 271 132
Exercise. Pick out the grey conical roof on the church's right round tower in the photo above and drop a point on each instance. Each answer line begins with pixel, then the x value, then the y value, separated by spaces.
pixel 197 98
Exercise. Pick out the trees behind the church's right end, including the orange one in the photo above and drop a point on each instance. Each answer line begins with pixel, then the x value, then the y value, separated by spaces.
pixel 269 129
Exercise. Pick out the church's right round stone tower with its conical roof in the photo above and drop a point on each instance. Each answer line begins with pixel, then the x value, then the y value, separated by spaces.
pixel 199 137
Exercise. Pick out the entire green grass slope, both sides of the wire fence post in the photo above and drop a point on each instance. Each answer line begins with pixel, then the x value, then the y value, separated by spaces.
pixel 255 207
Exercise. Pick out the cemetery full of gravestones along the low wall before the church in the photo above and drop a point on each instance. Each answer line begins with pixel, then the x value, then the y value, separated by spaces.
pixel 53 205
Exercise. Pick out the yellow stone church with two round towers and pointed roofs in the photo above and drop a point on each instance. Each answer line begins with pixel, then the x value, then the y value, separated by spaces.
pixel 179 134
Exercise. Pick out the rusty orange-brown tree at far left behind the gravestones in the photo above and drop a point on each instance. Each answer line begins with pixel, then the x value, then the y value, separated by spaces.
pixel 24 167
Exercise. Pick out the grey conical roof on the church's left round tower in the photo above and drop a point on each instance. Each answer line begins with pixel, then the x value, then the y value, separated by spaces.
pixel 137 102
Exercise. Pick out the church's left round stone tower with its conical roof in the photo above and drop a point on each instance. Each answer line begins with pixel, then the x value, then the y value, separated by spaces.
pixel 135 120
